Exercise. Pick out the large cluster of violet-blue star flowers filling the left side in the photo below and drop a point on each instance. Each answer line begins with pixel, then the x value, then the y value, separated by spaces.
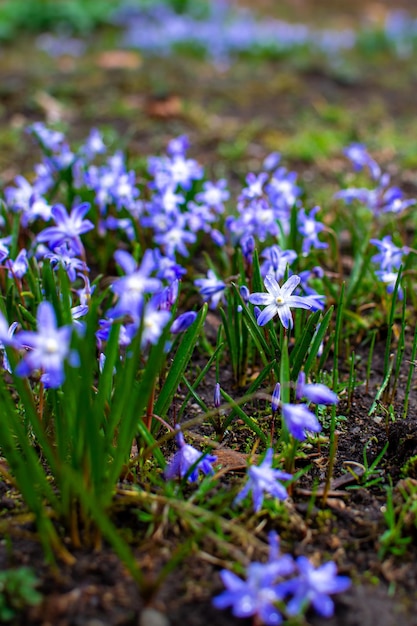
pixel 144 297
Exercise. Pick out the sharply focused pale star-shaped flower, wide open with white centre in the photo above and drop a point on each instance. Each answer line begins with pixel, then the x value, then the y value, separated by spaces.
pixel 279 300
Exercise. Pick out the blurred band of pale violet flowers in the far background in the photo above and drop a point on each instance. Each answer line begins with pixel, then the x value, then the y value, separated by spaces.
pixel 224 32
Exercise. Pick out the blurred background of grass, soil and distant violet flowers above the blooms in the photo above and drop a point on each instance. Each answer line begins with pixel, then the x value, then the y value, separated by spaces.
pixel 302 77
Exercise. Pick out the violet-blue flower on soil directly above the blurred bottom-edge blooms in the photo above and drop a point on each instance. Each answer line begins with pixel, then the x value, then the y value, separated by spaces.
pixel 264 479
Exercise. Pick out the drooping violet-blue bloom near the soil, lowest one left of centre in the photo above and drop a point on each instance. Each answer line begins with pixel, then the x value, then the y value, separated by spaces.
pixel 188 461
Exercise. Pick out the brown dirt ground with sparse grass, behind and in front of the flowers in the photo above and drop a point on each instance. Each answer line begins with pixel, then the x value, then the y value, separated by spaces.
pixel 233 117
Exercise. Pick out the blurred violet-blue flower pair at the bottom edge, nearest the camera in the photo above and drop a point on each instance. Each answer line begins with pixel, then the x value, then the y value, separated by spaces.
pixel 280 588
